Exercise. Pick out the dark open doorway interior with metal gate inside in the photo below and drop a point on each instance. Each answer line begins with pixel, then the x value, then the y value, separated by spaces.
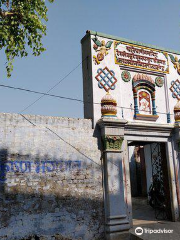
pixel 149 182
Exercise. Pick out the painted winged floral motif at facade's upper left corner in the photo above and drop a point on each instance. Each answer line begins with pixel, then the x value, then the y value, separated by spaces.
pixel 101 48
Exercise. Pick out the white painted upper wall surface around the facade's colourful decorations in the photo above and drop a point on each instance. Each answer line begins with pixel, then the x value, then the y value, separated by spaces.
pixel 123 92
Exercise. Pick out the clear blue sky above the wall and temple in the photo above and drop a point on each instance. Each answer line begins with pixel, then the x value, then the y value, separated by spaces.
pixel 155 22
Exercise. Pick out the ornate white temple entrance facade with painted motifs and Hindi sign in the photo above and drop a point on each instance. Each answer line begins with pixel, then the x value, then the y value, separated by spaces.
pixel 132 93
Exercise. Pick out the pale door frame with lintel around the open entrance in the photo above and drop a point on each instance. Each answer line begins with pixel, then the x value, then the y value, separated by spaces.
pixel 153 133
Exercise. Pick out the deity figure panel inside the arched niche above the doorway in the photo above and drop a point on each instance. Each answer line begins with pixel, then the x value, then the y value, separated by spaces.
pixel 144 102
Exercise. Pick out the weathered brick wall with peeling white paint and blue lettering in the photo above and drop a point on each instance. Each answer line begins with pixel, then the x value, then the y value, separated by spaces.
pixel 50 185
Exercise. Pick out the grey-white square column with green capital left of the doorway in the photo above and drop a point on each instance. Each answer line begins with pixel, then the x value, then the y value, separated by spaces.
pixel 115 165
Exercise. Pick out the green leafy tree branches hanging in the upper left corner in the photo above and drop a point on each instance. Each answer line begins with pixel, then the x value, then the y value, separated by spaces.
pixel 22 24
